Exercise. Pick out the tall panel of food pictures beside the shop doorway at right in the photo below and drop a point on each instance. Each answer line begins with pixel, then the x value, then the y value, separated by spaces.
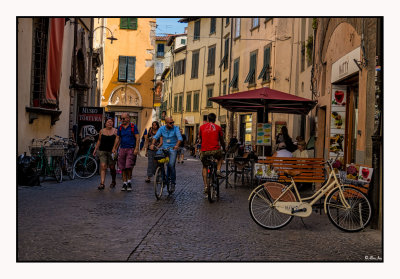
pixel 338 121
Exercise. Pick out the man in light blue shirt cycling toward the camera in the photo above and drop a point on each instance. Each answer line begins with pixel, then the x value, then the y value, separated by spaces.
pixel 171 138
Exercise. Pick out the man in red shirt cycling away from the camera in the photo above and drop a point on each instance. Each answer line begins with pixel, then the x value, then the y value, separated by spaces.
pixel 211 139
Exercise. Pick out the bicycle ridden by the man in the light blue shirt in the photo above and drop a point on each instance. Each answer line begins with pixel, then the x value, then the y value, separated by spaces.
pixel 160 180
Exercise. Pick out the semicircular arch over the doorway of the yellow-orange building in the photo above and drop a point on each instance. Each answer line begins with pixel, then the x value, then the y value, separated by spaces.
pixel 125 95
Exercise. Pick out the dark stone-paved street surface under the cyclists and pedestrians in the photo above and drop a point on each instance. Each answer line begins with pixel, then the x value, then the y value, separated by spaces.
pixel 73 221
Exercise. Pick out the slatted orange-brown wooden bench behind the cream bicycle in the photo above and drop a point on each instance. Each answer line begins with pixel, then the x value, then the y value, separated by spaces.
pixel 312 169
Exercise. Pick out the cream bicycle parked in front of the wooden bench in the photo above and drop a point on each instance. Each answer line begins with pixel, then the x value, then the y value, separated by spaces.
pixel 272 205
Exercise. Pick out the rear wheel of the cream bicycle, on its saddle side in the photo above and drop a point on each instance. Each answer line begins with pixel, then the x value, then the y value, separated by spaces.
pixel 261 206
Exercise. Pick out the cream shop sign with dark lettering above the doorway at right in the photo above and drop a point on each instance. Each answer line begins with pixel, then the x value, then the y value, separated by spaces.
pixel 345 66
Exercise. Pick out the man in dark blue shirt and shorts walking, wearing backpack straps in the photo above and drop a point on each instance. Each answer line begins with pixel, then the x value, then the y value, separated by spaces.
pixel 128 141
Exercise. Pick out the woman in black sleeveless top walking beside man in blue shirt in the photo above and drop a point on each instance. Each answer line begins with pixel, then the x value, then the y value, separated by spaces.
pixel 103 148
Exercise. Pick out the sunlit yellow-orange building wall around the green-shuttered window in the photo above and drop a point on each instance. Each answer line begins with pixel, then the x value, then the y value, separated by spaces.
pixel 138 43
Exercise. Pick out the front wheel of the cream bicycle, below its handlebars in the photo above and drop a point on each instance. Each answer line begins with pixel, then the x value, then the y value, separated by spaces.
pixel 353 216
